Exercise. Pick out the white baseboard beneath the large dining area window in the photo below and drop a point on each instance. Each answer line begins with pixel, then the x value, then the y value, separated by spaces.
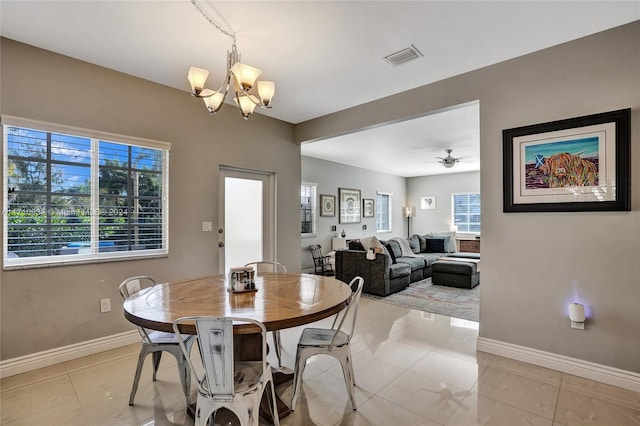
pixel 11 367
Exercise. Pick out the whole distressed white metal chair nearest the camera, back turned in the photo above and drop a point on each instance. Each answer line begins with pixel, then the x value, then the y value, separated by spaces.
pixel 226 383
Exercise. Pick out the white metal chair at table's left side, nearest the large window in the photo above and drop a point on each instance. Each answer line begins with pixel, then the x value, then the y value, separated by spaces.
pixel 156 342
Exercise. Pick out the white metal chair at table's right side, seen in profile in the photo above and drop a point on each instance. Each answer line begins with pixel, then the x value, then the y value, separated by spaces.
pixel 334 342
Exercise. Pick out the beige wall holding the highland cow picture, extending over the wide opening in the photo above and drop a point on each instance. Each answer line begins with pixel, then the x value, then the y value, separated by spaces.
pixel 534 264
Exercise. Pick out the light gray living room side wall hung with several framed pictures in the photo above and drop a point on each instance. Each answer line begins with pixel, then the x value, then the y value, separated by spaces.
pixel 330 176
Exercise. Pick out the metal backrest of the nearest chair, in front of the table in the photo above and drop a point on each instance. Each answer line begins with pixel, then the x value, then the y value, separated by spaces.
pixel 215 340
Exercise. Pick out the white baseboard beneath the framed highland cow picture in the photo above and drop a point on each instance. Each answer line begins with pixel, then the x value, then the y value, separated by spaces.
pixel 588 370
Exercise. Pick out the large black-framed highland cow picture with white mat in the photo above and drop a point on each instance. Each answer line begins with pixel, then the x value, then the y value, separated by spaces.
pixel 596 177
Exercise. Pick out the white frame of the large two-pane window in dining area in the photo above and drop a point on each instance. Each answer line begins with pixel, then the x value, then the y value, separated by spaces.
pixel 94 255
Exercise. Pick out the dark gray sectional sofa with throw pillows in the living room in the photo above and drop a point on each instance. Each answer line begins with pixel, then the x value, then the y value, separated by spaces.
pixel 390 272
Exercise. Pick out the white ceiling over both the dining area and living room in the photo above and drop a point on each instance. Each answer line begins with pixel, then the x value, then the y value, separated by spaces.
pixel 323 56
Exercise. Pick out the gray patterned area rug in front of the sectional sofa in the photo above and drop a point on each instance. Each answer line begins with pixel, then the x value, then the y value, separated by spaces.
pixel 424 296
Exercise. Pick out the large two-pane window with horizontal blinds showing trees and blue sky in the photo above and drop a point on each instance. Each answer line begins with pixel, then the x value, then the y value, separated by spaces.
pixel 74 196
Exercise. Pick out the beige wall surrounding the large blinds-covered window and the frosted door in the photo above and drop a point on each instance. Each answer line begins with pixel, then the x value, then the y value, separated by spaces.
pixel 52 307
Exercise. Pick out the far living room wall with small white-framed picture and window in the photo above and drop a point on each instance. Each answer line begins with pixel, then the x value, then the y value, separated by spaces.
pixel 440 186
